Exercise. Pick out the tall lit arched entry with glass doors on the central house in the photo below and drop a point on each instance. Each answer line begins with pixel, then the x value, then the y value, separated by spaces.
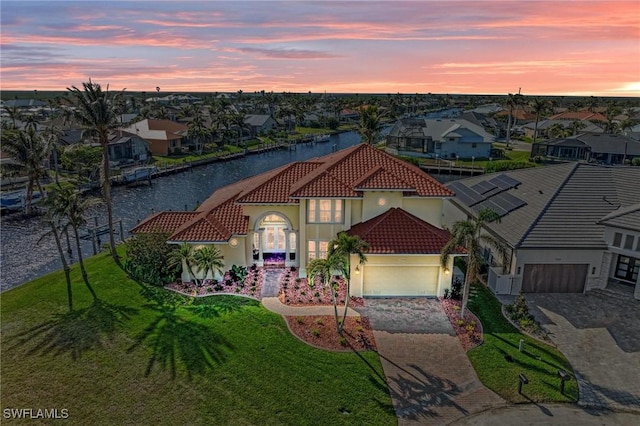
pixel 274 241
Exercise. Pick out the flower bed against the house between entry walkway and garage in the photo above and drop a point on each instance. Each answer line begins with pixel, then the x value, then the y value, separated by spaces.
pixel 296 291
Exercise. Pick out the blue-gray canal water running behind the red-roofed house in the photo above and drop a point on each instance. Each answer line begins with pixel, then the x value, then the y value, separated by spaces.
pixel 26 254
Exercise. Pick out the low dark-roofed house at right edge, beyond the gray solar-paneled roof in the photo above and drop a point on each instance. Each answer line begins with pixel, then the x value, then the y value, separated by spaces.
pixel 605 148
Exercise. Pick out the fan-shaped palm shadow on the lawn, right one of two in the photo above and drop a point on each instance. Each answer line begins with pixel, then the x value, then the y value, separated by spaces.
pixel 179 343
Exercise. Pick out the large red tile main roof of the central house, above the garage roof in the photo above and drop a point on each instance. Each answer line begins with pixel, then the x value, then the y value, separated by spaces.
pixel 344 174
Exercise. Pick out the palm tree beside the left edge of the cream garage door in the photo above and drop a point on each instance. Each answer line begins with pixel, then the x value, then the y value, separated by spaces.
pixel 340 250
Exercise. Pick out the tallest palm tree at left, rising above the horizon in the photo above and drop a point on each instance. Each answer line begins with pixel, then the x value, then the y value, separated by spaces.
pixel 97 111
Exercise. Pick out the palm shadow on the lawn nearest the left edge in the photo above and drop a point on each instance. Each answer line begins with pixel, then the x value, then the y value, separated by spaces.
pixel 75 332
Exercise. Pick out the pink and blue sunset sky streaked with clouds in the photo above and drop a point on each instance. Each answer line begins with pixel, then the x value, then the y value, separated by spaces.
pixel 581 48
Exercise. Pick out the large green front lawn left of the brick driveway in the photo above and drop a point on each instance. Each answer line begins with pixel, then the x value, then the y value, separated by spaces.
pixel 152 357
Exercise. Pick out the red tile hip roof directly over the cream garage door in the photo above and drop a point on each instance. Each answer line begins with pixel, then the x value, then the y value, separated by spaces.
pixel 399 232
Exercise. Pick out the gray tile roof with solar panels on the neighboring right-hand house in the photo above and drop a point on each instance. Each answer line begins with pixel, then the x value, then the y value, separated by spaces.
pixel 564 204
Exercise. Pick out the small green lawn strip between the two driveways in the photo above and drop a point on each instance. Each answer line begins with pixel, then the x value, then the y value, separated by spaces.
pixel 538 362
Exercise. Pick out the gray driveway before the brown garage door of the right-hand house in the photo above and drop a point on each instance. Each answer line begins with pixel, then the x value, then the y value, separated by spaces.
pixel 600 336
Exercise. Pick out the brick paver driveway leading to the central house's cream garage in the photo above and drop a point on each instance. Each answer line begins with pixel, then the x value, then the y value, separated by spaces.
pixel 429 376
